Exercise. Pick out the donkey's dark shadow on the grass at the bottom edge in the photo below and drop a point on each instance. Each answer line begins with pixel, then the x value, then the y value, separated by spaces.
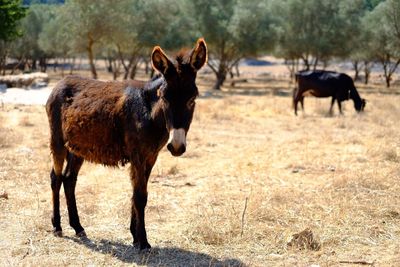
pixel 157 256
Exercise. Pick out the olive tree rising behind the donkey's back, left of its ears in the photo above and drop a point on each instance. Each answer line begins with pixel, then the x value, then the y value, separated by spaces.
pixel 139 29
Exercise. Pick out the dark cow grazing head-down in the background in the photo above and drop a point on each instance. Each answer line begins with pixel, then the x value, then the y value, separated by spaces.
pixel 322 83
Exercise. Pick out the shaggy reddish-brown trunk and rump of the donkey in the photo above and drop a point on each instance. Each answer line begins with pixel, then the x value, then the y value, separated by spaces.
pixel 86 117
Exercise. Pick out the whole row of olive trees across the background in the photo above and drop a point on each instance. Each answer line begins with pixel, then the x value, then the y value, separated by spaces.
pixel 306 33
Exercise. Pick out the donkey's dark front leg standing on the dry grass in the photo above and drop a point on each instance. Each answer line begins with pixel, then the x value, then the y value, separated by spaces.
pixel 139 201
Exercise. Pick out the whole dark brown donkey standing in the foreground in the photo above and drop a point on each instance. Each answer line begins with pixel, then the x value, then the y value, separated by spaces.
pixel 115 123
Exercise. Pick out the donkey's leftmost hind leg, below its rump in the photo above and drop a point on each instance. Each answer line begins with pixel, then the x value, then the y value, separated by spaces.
pixel 59 153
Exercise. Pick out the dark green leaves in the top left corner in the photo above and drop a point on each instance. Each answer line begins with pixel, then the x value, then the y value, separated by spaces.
pixel 11 12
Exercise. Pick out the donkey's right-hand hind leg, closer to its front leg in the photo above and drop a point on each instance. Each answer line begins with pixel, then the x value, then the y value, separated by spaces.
pixel 74 163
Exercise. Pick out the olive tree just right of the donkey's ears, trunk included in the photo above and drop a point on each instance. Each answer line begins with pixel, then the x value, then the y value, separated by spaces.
pixel 233 29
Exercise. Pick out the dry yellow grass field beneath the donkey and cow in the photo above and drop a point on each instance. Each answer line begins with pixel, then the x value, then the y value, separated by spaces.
pixel 256 187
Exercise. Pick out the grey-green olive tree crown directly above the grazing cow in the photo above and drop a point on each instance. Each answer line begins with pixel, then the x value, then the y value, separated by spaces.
pixel 318 30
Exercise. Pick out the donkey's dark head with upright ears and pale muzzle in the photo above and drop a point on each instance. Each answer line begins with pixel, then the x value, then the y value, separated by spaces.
pixel 179 92
